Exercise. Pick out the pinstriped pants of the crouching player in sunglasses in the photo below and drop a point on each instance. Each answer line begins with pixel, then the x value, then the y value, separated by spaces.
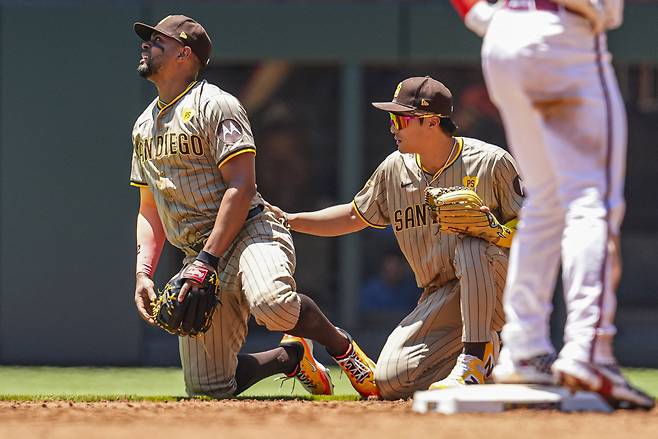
pixel 424 346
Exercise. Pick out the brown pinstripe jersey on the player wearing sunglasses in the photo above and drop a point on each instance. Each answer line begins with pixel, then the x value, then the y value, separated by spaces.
pixel 394 195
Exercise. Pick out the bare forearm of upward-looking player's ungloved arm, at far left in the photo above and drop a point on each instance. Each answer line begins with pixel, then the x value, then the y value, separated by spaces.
pixel 150 235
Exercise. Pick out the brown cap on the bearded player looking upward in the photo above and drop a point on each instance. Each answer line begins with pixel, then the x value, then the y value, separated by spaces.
pixel 182 29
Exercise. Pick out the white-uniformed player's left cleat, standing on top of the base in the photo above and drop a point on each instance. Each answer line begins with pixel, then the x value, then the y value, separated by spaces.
pixel 533 370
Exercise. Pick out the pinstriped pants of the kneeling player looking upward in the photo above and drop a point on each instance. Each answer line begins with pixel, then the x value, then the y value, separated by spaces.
pixel 256 277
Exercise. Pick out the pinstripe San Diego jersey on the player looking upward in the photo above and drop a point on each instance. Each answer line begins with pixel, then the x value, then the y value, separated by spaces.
pixel 178 150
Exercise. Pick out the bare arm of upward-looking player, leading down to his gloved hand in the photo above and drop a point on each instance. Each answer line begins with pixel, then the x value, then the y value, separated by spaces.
pixel 239 173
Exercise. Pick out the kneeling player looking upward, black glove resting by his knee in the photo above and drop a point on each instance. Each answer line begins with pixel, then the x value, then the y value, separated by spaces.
pixel 193 161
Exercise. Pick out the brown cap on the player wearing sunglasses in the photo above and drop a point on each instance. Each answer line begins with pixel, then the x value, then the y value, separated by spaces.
pixel 419 95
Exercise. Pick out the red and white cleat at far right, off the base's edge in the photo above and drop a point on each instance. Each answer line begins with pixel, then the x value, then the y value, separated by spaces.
pixel 604 379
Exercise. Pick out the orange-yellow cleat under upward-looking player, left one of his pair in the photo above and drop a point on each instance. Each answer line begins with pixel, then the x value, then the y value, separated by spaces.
pixel 310 372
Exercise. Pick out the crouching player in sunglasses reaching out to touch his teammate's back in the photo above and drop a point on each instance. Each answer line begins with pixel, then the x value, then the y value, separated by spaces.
pixel 450 338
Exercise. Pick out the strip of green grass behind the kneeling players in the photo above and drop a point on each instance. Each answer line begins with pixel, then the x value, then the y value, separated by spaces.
pixel 166 384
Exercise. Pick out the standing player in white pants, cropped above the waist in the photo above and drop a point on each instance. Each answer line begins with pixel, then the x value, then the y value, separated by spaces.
pixel 548 70
